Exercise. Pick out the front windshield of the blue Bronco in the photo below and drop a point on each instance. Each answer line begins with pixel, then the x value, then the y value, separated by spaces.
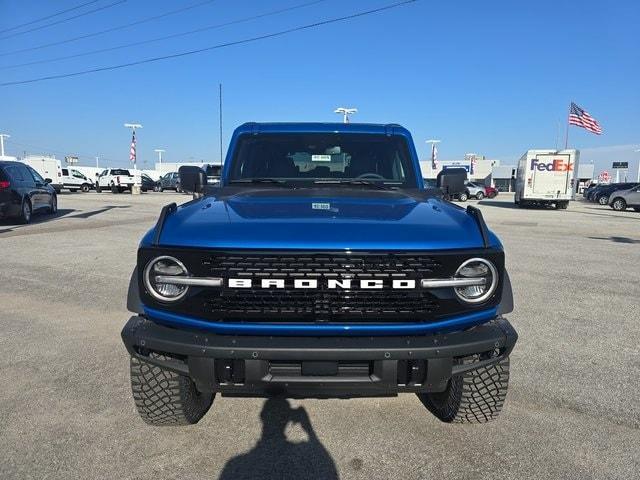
pixel 324 158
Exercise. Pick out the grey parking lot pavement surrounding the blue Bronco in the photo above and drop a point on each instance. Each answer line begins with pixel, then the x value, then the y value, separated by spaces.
pixel 572 412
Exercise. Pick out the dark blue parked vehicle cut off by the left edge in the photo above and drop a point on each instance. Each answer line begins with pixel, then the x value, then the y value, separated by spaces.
pixel 23 192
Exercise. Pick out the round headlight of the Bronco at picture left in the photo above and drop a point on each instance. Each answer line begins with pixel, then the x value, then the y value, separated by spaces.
pixel 157 279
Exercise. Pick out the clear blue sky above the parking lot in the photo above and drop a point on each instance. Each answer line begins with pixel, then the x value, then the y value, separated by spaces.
pixel 491 77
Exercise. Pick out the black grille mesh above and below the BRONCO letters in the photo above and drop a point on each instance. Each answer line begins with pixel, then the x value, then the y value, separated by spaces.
pixel 321 304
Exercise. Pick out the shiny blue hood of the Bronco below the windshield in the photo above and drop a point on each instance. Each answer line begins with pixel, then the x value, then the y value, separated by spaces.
pixel 316 219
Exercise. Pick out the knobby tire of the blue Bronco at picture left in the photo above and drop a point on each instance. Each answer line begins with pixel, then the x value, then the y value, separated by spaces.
pixel 164 397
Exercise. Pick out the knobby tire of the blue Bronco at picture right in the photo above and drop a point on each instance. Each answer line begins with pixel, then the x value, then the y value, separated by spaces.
pixel 473 397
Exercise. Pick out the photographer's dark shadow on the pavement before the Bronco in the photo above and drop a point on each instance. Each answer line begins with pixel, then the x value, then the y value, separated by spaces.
pixel 276 457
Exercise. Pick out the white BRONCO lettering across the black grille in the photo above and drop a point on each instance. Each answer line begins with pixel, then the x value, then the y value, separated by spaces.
pixel 310 283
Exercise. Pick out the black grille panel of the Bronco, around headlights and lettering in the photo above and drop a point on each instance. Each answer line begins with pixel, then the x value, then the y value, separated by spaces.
pixel 321 304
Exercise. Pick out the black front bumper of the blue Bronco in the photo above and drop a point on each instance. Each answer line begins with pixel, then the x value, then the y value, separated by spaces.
pixel 318 366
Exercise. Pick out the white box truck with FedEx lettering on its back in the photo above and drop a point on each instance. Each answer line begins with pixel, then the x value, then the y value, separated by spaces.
pixel 547 178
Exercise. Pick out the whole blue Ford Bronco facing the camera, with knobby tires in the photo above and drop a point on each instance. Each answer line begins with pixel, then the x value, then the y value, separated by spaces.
pixel 319 266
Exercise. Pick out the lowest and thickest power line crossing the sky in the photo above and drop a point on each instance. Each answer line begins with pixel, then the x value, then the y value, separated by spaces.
pixel 214 47
